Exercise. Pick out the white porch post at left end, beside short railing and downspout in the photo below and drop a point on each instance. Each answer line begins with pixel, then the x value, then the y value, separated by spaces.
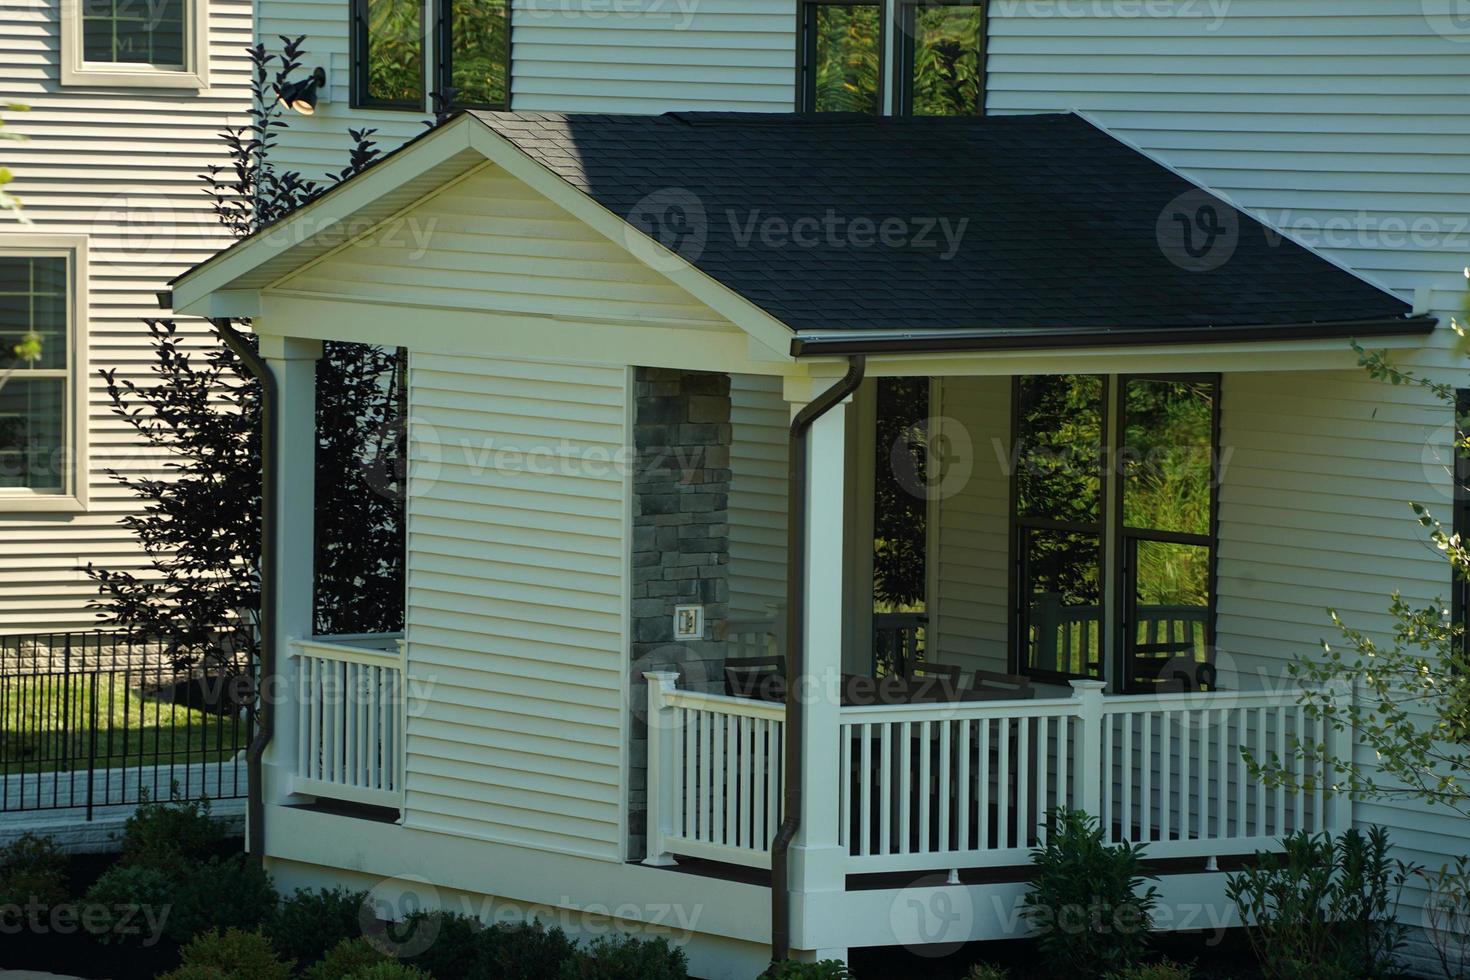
pixel 293 362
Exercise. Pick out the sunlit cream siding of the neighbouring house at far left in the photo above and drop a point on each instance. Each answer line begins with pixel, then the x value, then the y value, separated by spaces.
pixel 120 167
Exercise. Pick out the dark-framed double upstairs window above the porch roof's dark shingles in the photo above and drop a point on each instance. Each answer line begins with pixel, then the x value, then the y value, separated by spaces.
pixel 939 57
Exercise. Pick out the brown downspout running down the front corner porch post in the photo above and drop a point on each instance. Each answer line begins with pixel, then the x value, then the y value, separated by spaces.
pixel 796 655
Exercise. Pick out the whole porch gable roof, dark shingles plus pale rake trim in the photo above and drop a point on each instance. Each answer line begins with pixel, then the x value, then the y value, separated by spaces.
pixel 847 234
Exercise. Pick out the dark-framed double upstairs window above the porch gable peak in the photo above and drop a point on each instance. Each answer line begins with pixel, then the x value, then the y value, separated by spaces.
pixel 470 49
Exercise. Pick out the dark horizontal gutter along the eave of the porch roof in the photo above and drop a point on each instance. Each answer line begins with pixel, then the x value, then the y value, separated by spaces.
pixel 958 342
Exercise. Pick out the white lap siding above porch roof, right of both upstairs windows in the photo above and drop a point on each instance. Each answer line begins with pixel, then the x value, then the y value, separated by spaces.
pixel 1341 121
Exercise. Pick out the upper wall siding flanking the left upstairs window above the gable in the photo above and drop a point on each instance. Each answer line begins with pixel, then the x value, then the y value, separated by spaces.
pixel 642 57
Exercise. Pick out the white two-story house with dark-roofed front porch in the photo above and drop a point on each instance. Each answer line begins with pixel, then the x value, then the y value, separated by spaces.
pixel 621 327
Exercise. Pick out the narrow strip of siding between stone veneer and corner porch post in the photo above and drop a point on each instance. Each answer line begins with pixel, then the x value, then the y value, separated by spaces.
pixel 758 503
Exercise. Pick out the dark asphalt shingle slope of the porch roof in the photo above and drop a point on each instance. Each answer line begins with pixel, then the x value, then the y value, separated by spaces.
pixel 1036 224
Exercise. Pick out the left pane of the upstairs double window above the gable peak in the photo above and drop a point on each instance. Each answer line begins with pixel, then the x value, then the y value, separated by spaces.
pixel 389 55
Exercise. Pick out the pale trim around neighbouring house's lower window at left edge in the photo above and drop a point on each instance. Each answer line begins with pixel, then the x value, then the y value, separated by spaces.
pixel 74 494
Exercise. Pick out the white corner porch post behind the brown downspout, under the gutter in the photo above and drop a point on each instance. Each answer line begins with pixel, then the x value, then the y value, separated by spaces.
pixel 818 862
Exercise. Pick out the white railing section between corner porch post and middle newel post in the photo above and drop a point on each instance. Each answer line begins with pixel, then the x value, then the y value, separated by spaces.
pixel 955 785
